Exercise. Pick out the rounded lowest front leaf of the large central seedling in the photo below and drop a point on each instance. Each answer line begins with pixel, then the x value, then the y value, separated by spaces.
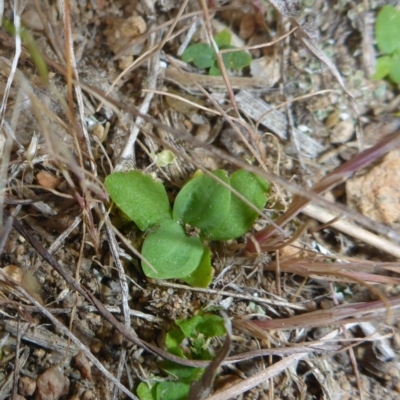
pixel 171 252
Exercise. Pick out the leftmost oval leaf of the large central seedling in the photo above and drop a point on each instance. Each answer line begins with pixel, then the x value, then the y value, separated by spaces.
pixel 144 201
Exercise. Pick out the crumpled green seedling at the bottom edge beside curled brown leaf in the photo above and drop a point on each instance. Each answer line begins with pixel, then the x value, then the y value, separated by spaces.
pixel 190 340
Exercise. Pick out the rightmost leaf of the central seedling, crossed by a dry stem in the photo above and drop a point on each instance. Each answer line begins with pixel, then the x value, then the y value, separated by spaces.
pixel 241 217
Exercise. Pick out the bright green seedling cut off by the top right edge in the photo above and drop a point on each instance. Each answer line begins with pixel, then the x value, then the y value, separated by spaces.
pixel 387 33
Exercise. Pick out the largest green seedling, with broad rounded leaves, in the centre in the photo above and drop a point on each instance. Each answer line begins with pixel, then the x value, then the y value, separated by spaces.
pixel 204 210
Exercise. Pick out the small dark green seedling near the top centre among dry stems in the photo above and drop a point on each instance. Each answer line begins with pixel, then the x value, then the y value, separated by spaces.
pixel 202 55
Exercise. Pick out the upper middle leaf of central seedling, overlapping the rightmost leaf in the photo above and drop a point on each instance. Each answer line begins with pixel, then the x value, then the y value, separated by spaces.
pixel 203 203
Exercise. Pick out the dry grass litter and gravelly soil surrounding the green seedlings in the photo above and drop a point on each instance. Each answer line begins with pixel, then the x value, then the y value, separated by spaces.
pixel 310 295
